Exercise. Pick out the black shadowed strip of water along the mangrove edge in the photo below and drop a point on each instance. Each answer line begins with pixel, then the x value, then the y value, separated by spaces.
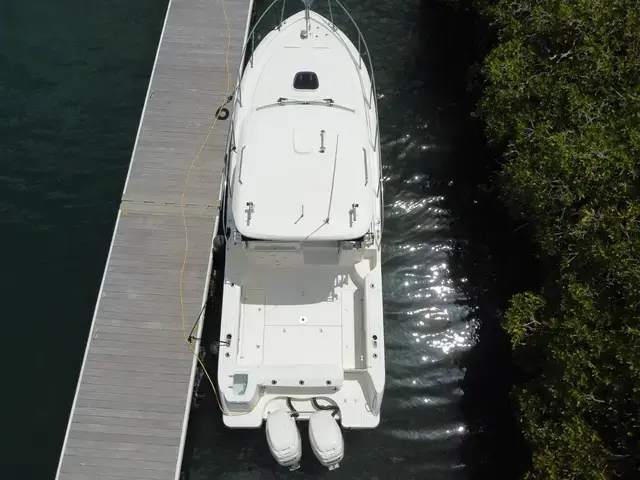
pixel 492 256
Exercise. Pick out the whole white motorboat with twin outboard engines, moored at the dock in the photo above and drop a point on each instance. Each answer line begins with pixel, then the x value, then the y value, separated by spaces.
pixel 302 321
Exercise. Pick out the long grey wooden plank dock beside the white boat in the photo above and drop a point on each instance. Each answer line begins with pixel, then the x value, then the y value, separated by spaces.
pixel 131 407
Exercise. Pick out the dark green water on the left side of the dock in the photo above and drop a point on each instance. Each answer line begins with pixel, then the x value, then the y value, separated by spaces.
pixel 73 76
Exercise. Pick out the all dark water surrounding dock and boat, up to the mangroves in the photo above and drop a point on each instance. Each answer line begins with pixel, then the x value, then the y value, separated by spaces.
pixel 72 83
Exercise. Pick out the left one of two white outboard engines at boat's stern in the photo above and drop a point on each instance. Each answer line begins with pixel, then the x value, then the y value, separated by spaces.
pixel 283 438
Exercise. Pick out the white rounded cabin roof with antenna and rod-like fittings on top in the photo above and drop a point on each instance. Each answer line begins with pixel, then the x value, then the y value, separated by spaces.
pixel 287 187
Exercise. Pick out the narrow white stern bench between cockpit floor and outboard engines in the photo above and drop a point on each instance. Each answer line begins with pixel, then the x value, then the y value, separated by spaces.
pixel 309 375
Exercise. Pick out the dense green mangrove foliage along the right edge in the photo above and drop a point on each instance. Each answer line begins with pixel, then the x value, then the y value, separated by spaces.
pixel 561 100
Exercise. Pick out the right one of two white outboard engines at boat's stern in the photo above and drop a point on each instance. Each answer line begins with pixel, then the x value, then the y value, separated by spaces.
pixel 326 439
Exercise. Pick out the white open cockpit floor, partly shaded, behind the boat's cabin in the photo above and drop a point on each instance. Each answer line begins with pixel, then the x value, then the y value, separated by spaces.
pixel 299 317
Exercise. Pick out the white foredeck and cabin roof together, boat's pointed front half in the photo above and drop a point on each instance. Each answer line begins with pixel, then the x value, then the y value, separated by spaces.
pixel 305 164
